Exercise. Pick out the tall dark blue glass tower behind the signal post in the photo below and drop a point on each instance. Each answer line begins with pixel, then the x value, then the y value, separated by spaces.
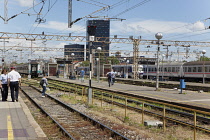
pixel 102 30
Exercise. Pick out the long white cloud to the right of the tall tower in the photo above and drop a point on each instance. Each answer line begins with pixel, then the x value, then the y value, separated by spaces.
pixel 141 27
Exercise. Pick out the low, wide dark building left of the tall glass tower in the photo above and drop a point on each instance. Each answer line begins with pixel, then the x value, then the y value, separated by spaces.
pixel 77 49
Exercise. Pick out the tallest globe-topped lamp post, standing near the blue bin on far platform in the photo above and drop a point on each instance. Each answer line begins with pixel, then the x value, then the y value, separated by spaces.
pixel 158 37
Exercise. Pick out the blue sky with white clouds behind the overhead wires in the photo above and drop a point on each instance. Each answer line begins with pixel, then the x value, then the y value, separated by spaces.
pixel 178 20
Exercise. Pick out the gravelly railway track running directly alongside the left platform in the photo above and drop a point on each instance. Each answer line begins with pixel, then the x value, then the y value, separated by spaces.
pixel 74 124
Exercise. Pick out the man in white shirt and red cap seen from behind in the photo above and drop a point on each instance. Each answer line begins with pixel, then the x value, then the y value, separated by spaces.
pixel 14 81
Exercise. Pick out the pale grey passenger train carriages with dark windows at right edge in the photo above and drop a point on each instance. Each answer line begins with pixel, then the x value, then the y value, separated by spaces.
pixel 191 71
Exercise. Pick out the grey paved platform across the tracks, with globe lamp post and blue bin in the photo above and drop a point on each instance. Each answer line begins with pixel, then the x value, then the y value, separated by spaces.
pixel 189 97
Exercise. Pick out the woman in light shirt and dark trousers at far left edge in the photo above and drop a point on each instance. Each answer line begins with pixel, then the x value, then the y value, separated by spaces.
pixel 3 85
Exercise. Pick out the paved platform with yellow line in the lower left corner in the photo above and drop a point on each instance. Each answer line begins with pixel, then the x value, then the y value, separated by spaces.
pixel 17 123
